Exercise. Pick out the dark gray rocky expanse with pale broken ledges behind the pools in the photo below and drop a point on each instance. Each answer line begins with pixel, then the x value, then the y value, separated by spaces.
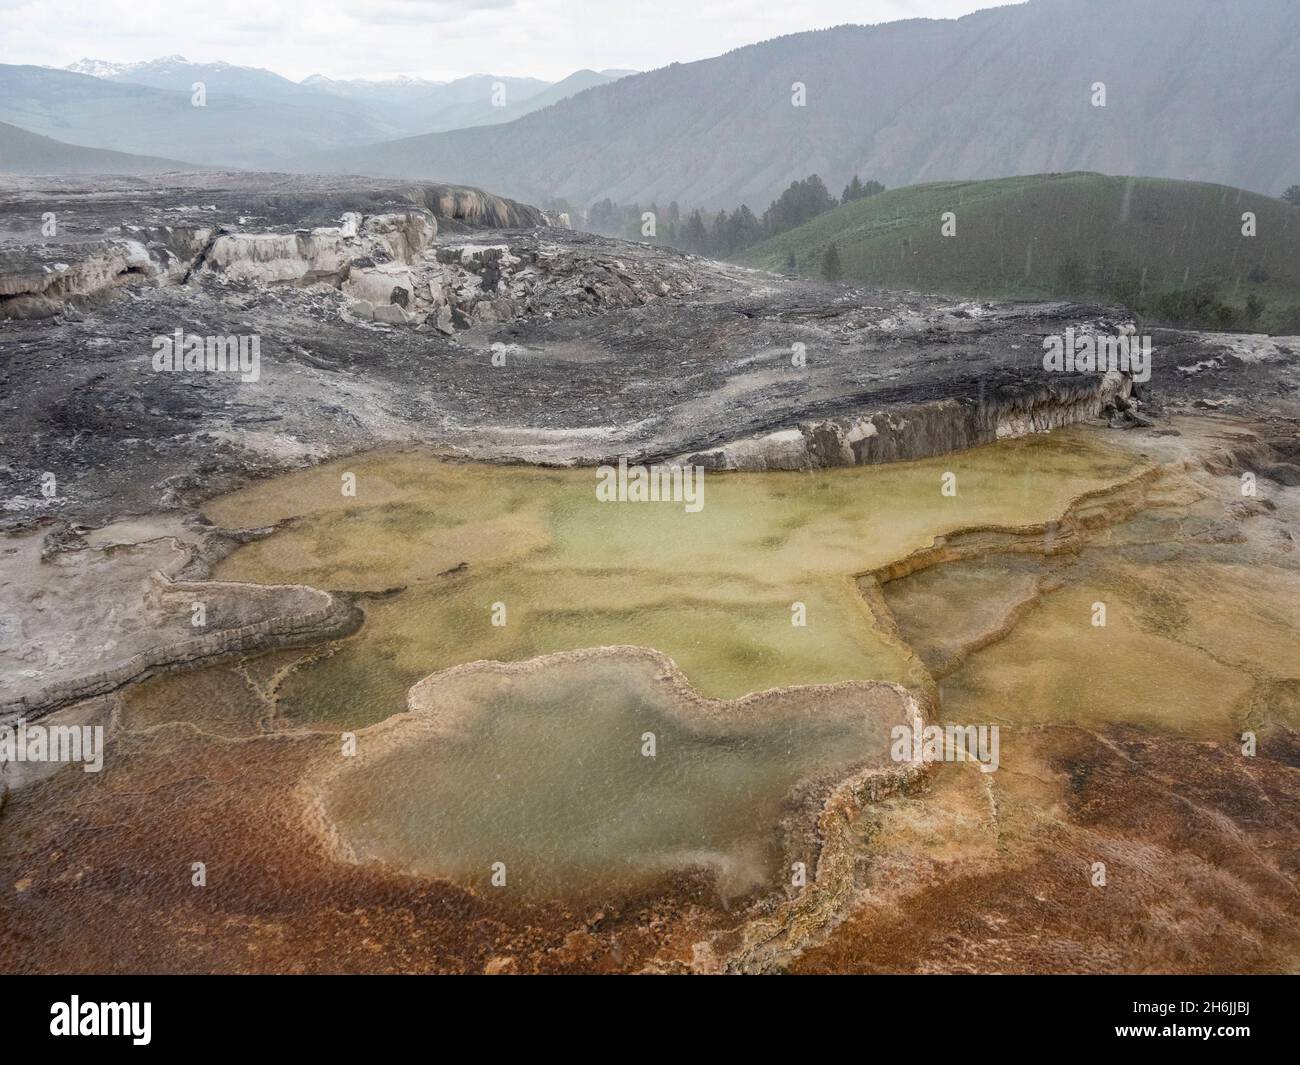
pixel 383 322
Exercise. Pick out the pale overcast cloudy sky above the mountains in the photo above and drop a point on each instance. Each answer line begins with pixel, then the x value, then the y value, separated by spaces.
pixel 432 38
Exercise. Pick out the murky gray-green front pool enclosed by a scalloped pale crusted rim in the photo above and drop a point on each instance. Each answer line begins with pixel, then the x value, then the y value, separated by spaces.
pixel 553 778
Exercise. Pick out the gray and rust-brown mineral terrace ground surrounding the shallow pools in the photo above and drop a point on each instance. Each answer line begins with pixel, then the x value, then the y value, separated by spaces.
pixel 392 317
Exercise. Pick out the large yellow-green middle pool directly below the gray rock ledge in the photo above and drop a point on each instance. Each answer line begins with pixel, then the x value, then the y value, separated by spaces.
pixel 714 590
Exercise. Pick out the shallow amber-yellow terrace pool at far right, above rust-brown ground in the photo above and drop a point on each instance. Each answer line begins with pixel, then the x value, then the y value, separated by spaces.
pixel 1199 635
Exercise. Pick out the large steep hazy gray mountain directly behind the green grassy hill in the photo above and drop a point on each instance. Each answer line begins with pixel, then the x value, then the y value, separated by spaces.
pixel 1194 89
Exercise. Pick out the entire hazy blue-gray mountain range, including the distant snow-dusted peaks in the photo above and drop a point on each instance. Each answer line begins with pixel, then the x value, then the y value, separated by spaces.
pixel 1181 89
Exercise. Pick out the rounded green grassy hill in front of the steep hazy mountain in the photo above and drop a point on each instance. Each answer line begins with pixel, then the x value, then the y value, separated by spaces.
pixel 1172 250
